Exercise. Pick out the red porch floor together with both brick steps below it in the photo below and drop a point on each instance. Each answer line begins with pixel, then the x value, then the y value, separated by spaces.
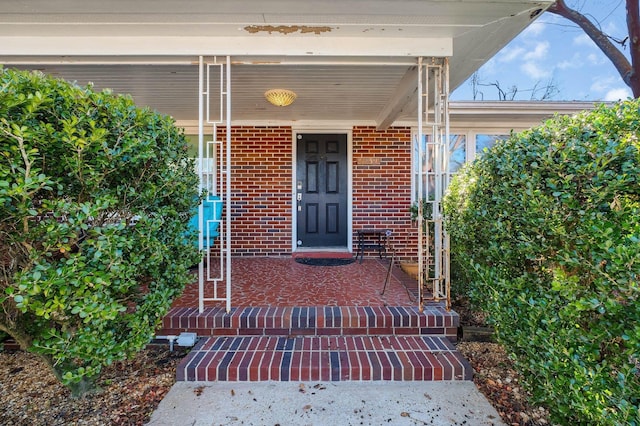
pixel 297 322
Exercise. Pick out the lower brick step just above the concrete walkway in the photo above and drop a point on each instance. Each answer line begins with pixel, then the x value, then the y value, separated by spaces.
pixel 323 358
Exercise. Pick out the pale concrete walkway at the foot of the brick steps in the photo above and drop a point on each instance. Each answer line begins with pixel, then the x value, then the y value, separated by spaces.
pixel 324 403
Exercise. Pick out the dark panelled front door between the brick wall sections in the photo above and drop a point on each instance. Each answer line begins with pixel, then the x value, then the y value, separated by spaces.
pixel 321 190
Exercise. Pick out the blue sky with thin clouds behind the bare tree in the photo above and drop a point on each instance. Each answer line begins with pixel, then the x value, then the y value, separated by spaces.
pixel 554 52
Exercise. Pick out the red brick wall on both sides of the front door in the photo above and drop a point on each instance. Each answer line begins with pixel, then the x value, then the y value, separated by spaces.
pixel 261 187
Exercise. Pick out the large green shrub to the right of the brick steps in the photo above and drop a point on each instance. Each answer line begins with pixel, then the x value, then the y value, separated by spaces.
pixel 546 229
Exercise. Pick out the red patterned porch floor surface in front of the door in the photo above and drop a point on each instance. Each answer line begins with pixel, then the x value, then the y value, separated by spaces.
pixel 282 282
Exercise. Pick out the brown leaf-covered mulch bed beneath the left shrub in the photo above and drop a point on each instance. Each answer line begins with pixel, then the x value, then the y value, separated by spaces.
pixel 129 391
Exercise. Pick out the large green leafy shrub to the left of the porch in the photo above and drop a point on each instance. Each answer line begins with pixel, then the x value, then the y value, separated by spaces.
pixel 95 195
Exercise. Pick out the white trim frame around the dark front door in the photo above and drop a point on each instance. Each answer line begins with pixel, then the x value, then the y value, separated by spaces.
pixel 294 153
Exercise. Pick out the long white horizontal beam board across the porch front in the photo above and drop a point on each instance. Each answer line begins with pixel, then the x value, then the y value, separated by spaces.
pixel 234 46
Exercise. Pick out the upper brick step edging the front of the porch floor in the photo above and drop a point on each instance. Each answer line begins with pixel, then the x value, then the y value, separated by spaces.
pixel 435 320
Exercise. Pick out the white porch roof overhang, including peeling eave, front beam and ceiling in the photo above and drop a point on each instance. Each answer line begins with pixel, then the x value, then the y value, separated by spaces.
pixel 347 60
